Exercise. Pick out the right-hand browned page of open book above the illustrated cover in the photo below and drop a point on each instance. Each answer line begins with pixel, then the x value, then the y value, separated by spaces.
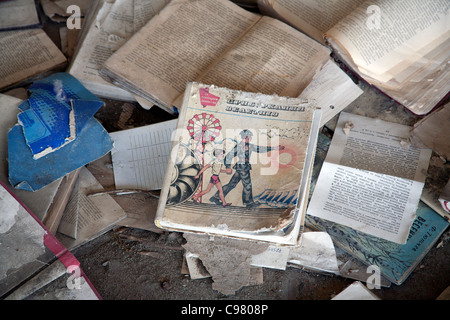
pixel 272 58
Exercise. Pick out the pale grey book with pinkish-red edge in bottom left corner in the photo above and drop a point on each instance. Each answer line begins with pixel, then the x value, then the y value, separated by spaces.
pixel 28 250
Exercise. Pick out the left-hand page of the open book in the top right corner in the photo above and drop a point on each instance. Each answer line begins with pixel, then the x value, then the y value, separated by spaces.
pixel 313 17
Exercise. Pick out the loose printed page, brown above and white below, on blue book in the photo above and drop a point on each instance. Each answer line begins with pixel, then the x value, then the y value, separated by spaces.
pixel 369 181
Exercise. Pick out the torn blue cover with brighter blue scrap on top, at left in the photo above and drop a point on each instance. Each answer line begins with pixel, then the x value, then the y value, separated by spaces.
pixel 42 131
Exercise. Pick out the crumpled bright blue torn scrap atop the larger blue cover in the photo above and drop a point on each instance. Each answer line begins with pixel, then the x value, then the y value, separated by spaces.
pixel 57 110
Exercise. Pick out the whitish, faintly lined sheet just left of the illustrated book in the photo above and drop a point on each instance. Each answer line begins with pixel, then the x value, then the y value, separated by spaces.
pixel 140 155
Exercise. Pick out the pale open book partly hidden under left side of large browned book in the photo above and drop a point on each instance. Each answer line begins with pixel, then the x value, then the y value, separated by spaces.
pixel 106 28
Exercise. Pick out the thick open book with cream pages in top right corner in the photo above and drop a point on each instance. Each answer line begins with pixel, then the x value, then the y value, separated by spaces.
pixel 399 47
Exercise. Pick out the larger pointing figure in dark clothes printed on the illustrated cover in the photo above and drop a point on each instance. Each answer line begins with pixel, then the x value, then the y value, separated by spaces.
pixel 242 151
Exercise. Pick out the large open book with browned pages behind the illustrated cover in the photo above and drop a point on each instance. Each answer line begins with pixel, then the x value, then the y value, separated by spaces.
pixel 218 43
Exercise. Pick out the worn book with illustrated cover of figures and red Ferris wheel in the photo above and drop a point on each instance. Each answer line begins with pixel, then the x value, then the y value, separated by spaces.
pixel 240 165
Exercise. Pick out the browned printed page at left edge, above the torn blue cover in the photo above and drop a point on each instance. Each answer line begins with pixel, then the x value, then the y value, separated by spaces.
pixel 26 54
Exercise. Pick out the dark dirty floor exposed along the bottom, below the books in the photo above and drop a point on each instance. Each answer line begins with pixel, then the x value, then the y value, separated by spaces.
pixel 119 272
